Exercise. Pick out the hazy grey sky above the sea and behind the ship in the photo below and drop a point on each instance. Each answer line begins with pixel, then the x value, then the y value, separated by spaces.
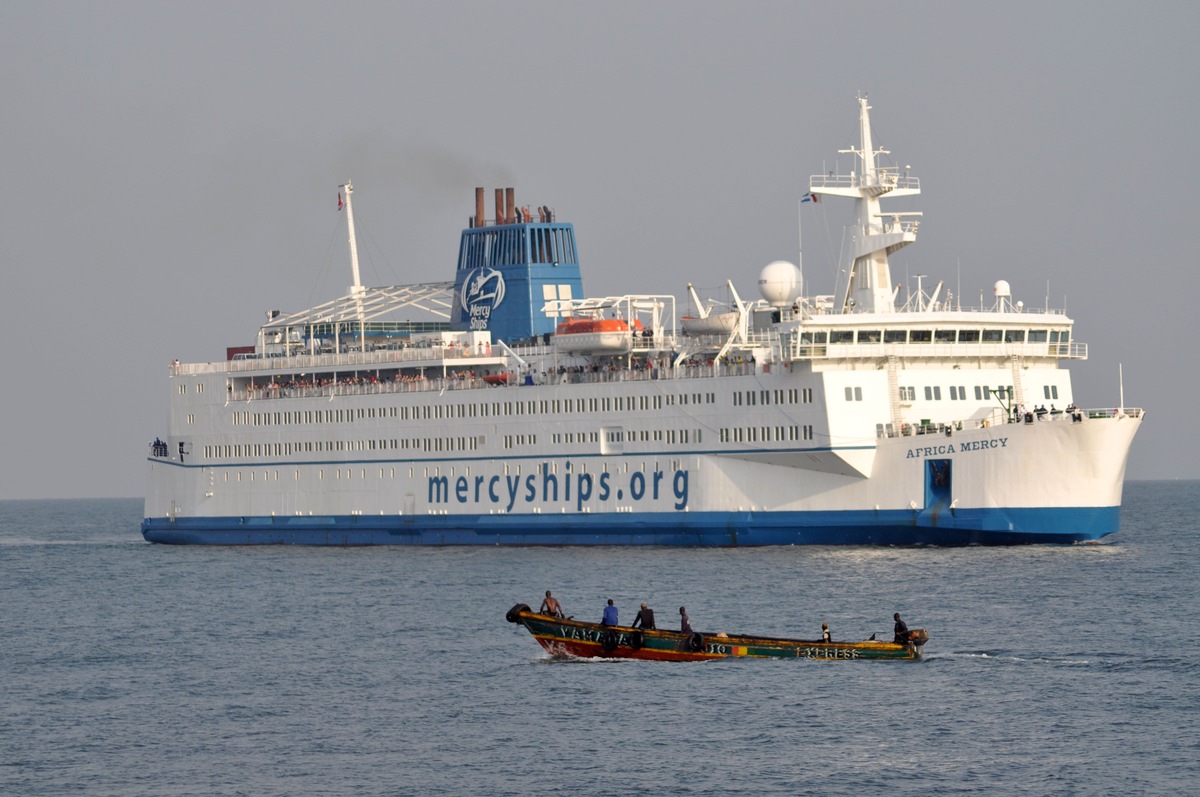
pixel 171 172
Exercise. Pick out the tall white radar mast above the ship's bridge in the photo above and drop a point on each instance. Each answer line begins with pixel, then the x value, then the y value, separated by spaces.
pixel 877 235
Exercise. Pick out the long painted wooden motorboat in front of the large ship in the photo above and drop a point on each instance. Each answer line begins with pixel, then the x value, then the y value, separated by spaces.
pixel 572 638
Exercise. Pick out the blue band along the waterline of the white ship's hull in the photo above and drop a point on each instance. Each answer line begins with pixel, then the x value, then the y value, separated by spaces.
pixel 893 528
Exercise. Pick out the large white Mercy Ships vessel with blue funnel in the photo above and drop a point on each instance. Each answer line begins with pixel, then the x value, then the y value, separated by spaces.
pixel 871 417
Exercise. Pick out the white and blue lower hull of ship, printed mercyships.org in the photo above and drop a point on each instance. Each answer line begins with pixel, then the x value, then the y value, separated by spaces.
pixel 1042 483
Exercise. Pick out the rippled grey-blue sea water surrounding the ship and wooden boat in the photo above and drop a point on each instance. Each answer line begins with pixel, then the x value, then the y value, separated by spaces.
pixel 136 669
